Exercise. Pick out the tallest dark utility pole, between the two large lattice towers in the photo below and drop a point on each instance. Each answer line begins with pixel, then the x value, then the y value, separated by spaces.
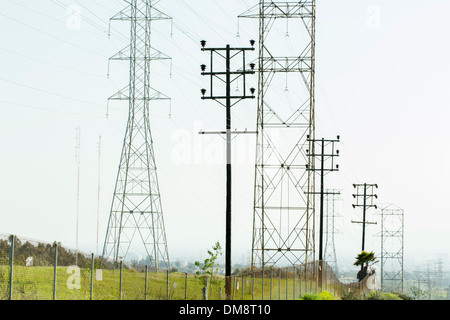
pixel 227 100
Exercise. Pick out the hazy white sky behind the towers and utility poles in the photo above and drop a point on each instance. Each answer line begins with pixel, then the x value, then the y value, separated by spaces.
pixel 382 85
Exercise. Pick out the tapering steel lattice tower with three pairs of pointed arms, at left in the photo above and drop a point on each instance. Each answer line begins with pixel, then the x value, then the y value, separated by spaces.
pixel 136 210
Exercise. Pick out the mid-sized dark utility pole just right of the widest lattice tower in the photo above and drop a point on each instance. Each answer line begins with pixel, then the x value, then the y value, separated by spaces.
pixel 323 169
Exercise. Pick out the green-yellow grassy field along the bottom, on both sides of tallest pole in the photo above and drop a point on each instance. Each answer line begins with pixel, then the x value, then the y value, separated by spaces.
pixel 37 283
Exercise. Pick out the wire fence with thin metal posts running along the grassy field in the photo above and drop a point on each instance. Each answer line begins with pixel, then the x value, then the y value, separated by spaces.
pixel 32 270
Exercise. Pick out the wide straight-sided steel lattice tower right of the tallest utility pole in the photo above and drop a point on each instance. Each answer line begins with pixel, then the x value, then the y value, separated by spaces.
pixel 284 207
